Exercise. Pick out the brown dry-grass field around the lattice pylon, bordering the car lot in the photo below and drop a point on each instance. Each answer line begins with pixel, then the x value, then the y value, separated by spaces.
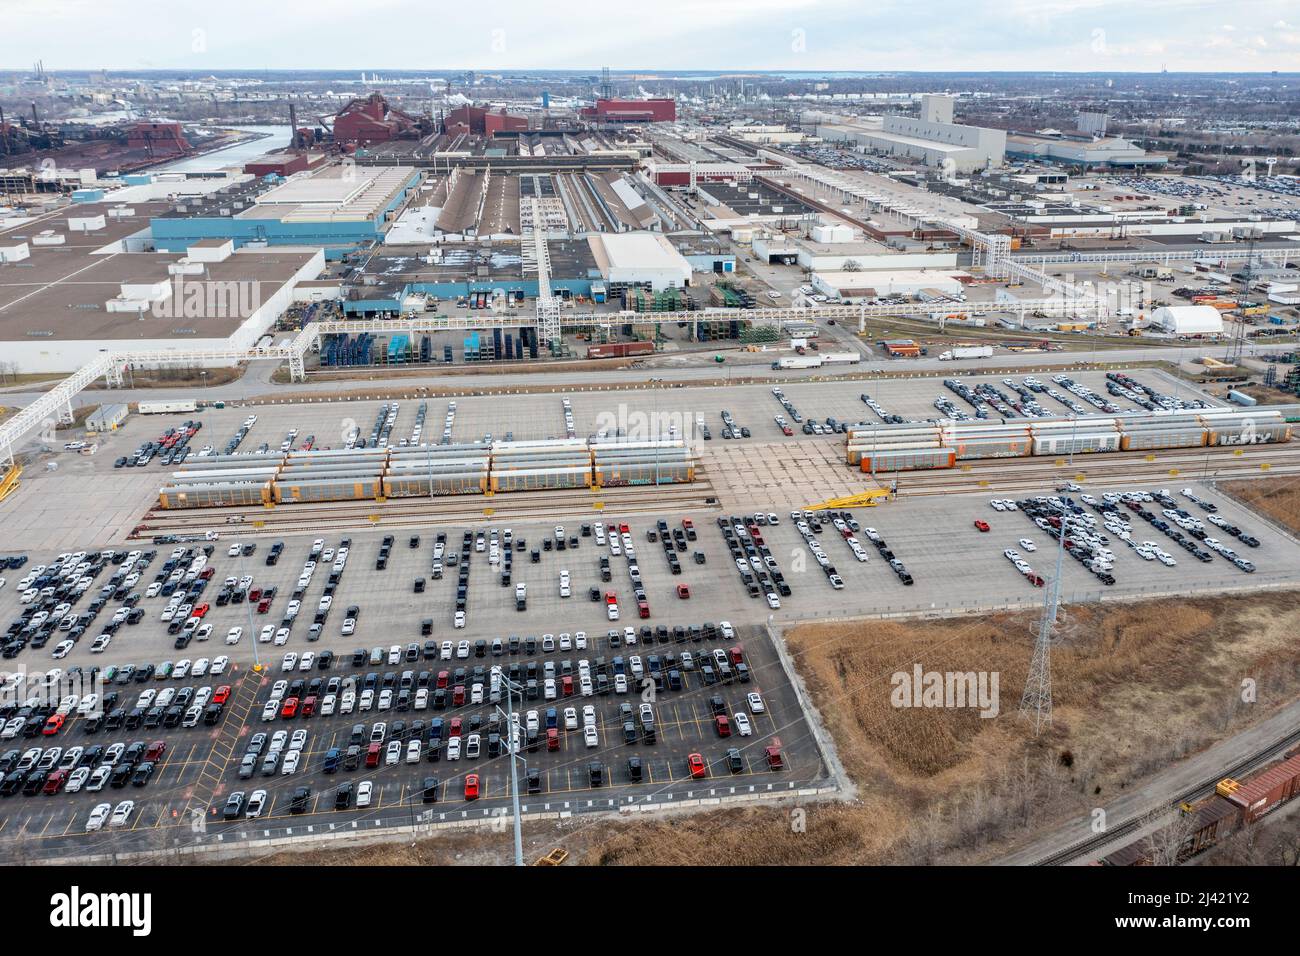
pixel 1137 687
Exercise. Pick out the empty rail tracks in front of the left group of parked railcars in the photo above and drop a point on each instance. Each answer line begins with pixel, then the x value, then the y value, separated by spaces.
pixel 452 509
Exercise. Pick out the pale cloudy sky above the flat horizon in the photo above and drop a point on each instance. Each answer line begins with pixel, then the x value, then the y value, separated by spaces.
pixel 937 36
